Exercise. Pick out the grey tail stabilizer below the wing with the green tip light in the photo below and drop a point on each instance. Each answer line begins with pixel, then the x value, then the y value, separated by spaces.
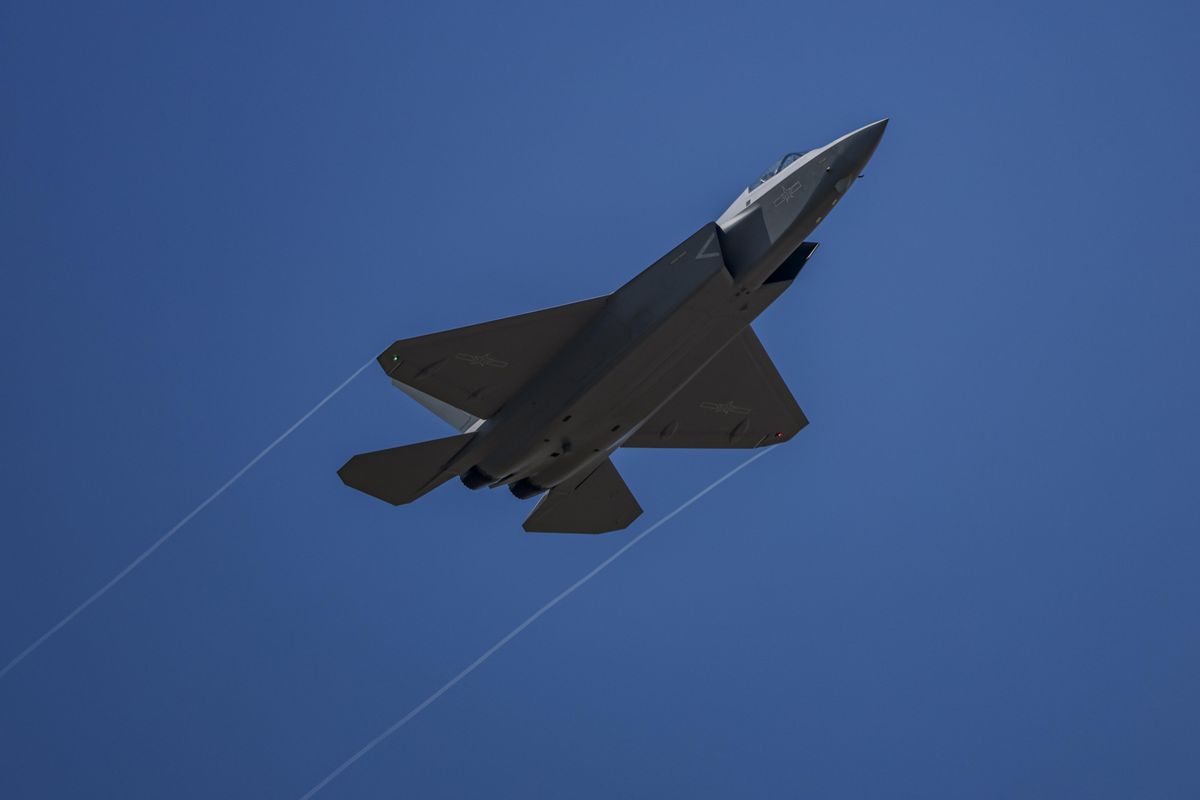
pixel 403 474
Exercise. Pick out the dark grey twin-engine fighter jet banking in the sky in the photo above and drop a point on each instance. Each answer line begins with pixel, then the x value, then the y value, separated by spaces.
pixel 543 400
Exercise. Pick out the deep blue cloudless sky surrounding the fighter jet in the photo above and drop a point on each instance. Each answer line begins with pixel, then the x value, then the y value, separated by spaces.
pixel 974 575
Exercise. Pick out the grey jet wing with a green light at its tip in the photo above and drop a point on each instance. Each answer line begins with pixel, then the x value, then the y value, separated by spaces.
pixel 479 368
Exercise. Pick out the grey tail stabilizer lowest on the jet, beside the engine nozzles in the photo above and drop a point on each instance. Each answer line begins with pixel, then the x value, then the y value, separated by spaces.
pixel 596 506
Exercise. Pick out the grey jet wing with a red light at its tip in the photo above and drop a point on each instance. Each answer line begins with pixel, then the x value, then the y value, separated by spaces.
pixel 739 400
